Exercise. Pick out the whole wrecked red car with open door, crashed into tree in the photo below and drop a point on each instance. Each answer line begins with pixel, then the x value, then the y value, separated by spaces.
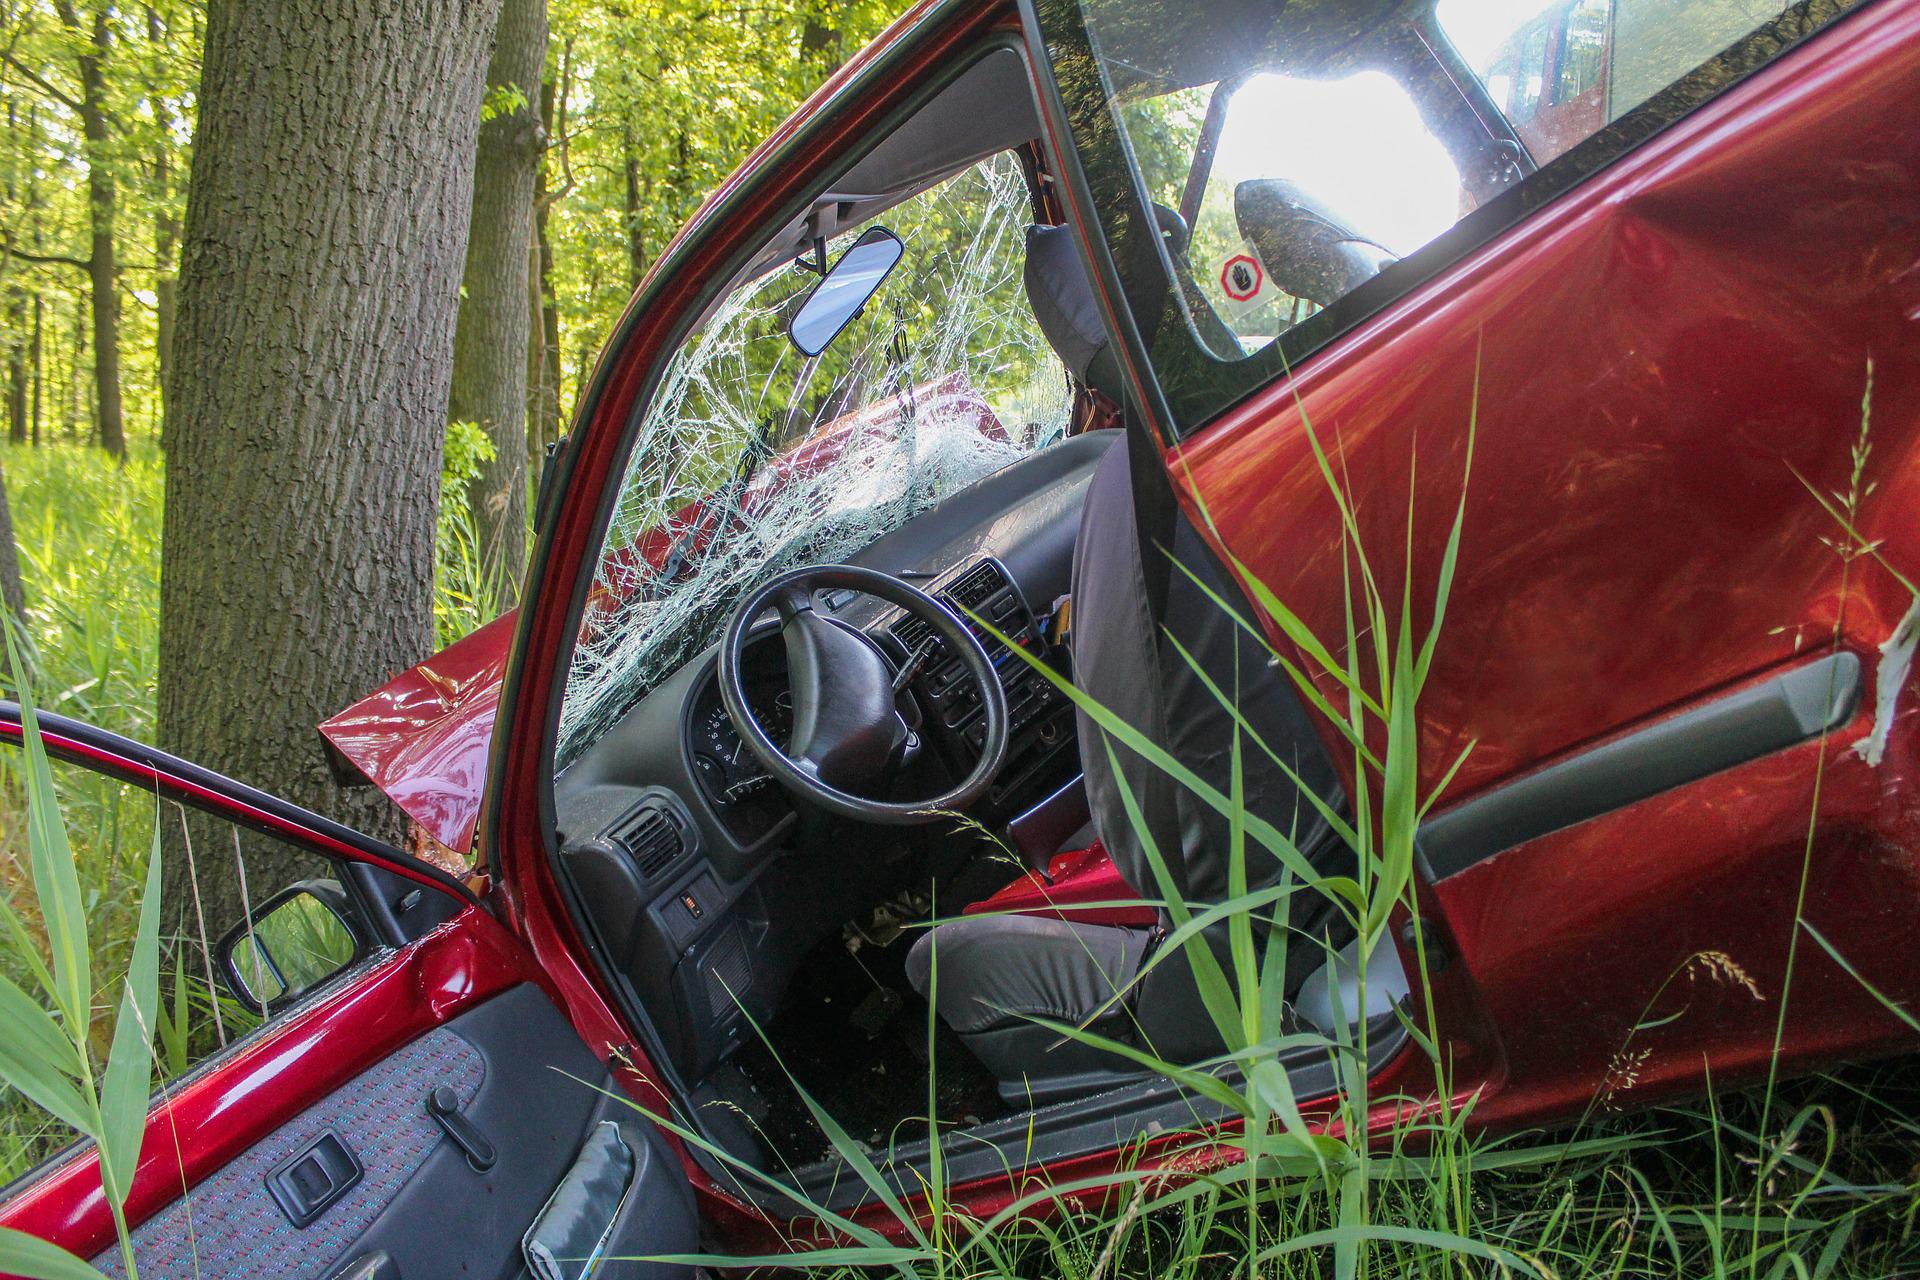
pixel 1093 266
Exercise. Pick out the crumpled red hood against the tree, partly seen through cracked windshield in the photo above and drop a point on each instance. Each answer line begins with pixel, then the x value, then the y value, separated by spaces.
pixel 423 738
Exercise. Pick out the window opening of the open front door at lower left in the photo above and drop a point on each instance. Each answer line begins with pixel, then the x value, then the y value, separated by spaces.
pixel 299 947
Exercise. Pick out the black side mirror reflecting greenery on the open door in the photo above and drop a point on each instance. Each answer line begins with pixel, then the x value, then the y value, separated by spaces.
pixel 295 941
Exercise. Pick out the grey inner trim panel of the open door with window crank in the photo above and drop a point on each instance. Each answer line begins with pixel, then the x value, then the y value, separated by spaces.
pixel 523 1081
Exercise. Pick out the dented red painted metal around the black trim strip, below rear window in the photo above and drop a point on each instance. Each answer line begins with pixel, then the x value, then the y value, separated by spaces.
pixel 1660 352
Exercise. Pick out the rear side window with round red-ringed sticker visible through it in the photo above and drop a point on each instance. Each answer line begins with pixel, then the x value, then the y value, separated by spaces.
pixel 1301 166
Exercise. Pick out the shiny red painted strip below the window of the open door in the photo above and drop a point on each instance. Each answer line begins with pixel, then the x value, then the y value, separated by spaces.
pixel 272 1078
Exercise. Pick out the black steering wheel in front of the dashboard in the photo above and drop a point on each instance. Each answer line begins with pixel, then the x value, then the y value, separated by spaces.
pixel 848 730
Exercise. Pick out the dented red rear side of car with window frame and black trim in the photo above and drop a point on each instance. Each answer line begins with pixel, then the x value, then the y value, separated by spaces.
pixel 1683 678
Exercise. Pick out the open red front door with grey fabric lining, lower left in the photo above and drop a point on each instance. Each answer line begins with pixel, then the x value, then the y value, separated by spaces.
pixel 421 1112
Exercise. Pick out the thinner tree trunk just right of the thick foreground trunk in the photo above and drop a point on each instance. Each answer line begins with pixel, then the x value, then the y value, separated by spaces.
pixel 492 339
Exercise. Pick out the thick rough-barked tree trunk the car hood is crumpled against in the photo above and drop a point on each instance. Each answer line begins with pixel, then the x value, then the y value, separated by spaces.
pixel 320 285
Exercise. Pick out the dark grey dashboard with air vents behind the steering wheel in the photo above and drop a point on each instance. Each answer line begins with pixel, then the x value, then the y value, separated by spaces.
pixel 702 882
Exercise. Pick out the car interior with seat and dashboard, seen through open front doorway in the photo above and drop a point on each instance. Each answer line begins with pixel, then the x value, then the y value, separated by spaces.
pixel 773 778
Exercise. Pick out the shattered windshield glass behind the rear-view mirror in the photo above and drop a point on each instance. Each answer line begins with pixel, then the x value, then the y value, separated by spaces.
pixel 754 460
